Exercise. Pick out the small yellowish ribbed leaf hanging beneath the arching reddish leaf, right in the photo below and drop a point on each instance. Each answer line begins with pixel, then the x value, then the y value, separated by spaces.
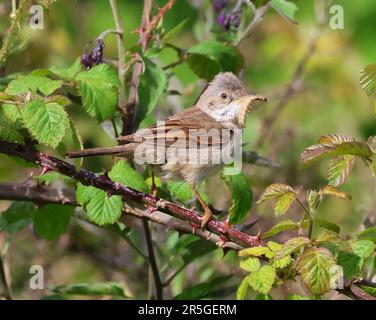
pixel 339 169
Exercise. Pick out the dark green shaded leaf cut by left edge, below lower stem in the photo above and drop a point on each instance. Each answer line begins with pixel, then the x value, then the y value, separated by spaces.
pixel 17 216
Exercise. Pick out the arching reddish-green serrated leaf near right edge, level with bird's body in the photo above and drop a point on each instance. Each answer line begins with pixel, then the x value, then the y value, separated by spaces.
pixel 335 145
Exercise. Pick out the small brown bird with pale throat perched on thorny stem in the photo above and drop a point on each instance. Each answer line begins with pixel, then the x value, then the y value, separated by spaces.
pixel 191 144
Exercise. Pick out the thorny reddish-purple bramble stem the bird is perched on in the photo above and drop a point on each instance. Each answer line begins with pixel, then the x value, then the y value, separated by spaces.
pixel 102 182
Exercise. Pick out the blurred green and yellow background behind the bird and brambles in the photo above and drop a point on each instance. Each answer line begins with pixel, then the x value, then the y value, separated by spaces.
pixel 330 100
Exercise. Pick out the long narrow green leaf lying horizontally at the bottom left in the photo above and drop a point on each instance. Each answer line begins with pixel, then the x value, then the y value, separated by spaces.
pixel 91 289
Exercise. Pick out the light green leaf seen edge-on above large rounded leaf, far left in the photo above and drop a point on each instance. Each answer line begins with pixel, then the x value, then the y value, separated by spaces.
pixel 33 84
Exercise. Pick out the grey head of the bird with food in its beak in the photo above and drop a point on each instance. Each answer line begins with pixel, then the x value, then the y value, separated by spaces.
pixel 226 100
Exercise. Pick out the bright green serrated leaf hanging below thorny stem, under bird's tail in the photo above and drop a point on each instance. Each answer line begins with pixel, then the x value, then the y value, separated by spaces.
pixel 102 209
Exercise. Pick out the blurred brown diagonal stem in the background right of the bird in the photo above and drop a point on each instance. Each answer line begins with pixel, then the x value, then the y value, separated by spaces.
pixel 295 83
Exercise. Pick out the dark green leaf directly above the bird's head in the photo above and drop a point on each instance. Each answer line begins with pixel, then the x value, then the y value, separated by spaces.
pixel 208 58
